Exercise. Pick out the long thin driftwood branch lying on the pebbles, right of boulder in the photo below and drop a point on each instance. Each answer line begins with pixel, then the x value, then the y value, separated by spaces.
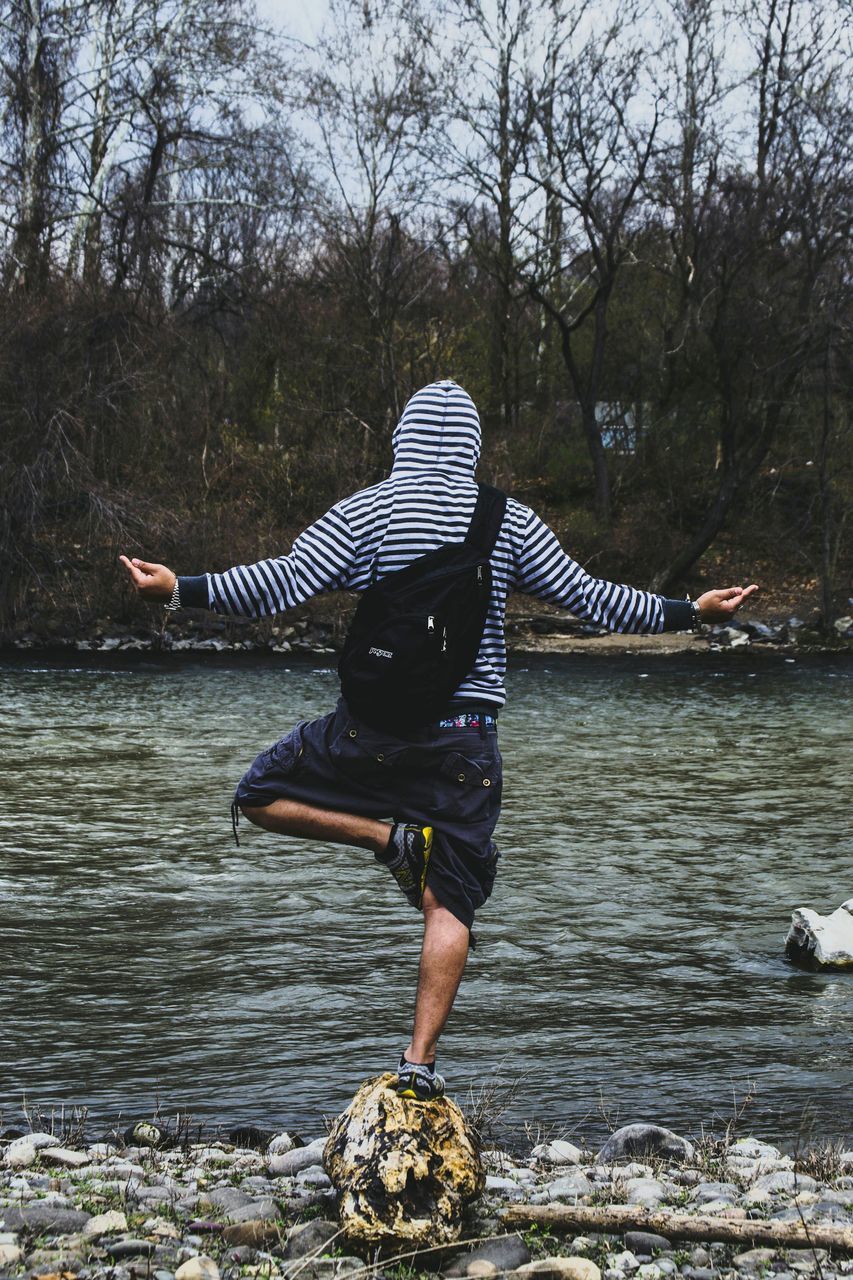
pixel 681 1227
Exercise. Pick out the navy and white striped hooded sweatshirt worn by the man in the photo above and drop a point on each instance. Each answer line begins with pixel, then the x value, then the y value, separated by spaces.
pixel 428 500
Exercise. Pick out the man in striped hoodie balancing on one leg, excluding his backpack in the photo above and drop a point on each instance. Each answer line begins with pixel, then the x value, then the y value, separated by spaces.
pixel 337 779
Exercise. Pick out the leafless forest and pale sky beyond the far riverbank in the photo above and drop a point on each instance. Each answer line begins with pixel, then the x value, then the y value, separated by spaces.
pixel 229 258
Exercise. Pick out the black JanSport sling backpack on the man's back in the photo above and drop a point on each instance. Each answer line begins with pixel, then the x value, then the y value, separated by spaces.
pixel 417 633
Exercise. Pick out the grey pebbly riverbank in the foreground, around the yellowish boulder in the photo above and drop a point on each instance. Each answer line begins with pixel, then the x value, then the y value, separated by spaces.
pixel 171 1204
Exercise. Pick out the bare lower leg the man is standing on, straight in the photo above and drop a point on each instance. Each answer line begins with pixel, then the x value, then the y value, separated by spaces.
pixel 443 963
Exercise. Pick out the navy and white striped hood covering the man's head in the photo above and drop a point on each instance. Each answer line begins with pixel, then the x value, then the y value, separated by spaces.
pixel 439 431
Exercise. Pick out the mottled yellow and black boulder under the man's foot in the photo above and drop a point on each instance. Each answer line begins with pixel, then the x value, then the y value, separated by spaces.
pixel 405 1169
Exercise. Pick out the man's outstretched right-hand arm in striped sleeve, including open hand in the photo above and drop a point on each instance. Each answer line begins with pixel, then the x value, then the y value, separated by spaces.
pixel 546 572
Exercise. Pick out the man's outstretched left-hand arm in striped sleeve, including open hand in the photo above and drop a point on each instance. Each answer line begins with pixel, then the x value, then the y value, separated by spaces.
pixel 321 560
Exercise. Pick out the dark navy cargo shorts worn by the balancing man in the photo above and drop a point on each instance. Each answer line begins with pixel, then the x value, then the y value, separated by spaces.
pixel 445 779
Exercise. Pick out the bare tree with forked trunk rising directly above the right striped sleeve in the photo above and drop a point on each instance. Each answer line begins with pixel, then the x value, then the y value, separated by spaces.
pixel 589 152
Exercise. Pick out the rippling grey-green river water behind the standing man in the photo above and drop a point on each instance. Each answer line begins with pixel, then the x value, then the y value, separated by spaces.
pixel 663 817
